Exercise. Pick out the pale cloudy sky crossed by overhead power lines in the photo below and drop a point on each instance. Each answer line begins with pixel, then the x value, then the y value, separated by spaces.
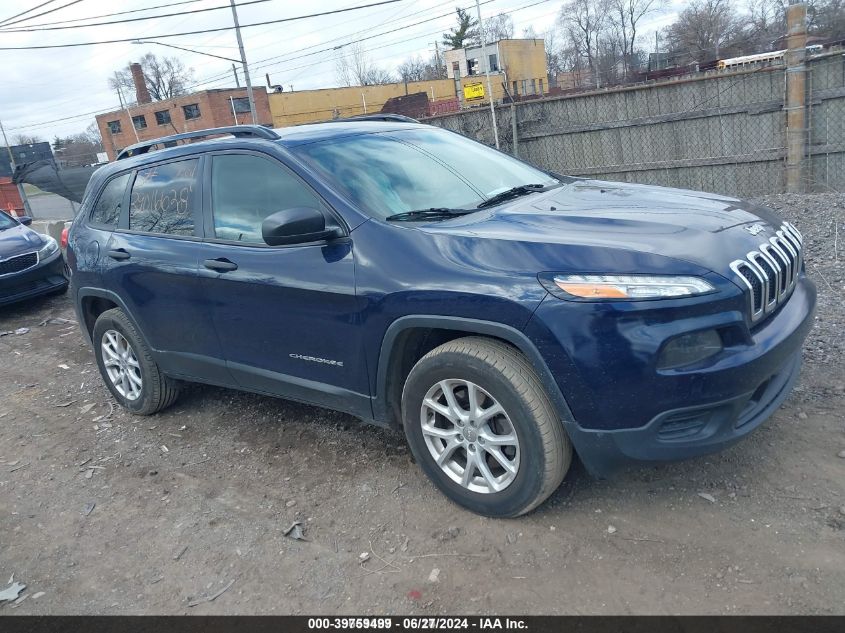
pixel 50 92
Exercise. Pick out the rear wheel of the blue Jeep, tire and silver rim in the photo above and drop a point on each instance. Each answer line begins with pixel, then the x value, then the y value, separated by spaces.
pixel 155 391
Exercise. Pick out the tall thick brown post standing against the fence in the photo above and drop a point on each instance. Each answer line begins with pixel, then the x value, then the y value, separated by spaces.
pixel 796 83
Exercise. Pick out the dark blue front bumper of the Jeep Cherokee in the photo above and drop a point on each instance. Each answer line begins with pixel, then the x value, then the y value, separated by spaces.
pixel 623 409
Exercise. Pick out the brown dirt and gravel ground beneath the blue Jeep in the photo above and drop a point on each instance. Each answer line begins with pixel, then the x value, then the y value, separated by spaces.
pixel 105 513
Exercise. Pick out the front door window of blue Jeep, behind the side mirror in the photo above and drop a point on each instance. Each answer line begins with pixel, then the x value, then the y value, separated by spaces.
pixel 245 189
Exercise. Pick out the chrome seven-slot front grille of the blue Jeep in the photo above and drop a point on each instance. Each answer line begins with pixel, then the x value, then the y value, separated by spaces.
pixel 770 272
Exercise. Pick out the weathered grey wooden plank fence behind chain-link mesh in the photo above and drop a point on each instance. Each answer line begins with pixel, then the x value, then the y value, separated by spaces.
pixel 723 132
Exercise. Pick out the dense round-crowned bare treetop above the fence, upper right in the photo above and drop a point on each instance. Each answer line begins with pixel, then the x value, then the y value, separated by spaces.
pixel 703 30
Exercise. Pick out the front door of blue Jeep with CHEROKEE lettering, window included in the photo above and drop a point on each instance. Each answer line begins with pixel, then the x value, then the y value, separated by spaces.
pixel 287 316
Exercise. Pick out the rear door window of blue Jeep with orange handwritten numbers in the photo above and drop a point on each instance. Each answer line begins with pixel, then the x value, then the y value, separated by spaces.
pixel 164 198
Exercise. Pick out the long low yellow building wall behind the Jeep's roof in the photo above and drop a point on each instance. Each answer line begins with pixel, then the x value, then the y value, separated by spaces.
pixel 306 106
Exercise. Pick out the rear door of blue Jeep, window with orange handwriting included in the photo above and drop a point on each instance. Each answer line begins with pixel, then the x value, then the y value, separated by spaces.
pixel 152 261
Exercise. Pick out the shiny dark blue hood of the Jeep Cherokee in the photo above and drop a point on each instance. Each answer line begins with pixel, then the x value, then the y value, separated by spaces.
pixel 707 230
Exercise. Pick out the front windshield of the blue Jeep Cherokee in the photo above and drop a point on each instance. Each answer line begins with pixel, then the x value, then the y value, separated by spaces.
pixel 406 170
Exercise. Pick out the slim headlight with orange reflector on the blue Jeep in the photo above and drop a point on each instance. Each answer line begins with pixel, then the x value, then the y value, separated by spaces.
pixel 626 286
